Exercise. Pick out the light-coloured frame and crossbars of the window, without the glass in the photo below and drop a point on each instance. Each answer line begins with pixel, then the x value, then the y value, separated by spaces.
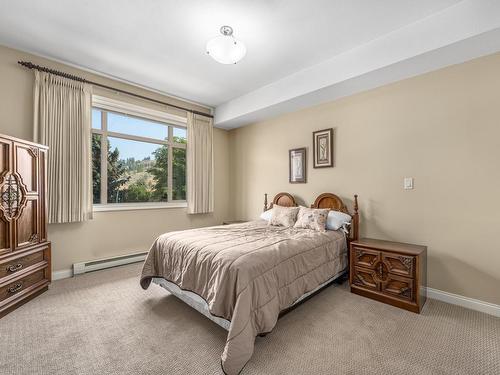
pixel 106 105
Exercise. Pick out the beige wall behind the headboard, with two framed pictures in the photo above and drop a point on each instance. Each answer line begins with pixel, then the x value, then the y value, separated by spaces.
pixel 441 128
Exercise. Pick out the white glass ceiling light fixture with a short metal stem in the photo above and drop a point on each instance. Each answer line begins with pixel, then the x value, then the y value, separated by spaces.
pixel 226 49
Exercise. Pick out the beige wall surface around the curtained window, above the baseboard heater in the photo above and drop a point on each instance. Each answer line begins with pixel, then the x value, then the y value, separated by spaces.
pixel 110 233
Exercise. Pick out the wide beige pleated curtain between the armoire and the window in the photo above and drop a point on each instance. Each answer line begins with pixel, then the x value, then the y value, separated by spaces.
pixel 62 110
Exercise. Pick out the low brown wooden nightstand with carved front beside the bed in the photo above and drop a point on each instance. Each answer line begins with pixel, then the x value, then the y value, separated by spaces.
pixel 390 272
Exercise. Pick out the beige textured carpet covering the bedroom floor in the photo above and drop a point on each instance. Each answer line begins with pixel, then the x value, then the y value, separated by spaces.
pixel 103 323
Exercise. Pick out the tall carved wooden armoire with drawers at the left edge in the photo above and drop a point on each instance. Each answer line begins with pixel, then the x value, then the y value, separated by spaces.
pixel 24 249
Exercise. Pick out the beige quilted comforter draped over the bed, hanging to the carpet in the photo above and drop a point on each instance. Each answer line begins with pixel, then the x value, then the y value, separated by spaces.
pixel 247 273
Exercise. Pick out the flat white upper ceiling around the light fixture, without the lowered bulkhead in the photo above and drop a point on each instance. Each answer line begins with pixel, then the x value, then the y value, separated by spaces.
pixel 161 43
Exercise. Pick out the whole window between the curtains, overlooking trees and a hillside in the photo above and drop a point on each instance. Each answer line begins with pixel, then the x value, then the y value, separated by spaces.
pixel 137 160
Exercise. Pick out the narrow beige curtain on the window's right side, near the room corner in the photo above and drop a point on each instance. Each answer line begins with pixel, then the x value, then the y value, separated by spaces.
pixel 200 180
